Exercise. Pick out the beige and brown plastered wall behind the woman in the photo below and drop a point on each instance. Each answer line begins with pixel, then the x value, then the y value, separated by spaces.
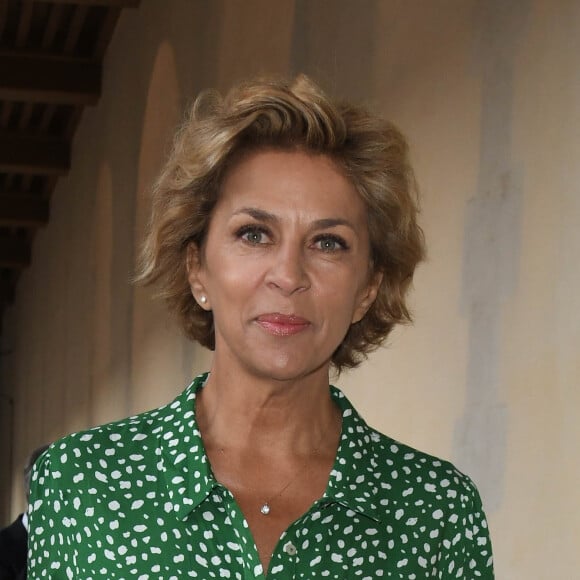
pixel 489 94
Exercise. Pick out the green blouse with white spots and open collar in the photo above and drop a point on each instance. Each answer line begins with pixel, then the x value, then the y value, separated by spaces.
pixel 137 499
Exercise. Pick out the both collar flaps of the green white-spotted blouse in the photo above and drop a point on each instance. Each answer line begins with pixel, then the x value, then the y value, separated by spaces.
pixel 190 480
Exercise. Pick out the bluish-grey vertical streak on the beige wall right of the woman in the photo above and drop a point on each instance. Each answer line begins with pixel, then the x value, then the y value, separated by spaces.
pixel 492 249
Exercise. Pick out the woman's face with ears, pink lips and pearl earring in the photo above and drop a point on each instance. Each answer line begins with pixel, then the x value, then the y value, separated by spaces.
pixel 285 266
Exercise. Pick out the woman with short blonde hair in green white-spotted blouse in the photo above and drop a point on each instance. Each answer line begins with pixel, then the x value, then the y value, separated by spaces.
pixel 284 237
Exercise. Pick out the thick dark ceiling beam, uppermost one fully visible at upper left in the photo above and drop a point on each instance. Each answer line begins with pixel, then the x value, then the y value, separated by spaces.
pixel 42 79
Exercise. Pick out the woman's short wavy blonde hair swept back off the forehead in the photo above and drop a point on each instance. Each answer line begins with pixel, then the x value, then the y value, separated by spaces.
pixel 371 152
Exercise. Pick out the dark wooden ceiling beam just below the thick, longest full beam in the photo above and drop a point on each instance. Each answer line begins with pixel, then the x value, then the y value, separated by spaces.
pixel 36 155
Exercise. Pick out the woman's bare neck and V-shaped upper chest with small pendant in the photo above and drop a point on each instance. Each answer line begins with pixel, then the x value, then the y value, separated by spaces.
pixel 272 444
